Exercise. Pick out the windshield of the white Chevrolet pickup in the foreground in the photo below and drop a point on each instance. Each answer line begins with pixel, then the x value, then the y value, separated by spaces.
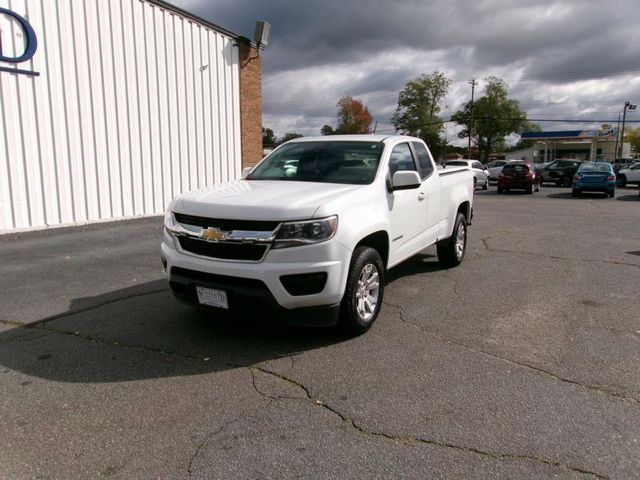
pixel 327 162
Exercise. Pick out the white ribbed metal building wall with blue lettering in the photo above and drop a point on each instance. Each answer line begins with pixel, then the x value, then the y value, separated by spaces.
pixel 134 105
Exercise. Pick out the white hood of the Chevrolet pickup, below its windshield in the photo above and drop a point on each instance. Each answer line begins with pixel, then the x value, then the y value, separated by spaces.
pixel 260 200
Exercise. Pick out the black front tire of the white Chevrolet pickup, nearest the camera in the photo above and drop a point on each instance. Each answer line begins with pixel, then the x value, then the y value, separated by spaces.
pixel 352 321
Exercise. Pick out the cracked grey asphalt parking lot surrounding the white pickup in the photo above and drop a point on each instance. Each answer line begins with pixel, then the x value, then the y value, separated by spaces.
pixel 520 363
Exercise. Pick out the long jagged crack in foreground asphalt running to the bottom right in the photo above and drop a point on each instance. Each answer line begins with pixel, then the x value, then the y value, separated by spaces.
pixel 408 439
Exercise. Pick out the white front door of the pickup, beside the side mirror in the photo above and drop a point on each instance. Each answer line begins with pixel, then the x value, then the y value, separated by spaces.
pixel 407 218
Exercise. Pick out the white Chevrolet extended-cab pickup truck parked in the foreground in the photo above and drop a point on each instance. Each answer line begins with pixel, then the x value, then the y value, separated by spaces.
pixel 312 229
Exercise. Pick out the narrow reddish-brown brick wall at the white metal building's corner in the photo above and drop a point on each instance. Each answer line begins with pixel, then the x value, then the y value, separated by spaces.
pixel 250 104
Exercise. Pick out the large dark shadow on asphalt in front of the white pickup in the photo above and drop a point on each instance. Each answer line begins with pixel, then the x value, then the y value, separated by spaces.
pixel 142 332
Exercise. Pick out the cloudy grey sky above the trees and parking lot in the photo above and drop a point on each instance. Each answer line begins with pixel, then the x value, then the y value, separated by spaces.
pixel 569 59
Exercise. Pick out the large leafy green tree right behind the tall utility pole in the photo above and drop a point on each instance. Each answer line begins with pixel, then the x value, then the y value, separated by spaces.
pixel 495 116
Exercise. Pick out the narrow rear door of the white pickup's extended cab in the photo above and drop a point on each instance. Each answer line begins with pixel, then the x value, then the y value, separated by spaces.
pixel 431 189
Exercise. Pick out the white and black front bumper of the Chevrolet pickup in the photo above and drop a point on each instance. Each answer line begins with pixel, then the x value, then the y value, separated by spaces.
pixel 246 282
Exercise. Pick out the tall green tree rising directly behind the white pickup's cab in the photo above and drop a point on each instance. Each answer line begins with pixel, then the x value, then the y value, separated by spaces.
pixel 419 107
